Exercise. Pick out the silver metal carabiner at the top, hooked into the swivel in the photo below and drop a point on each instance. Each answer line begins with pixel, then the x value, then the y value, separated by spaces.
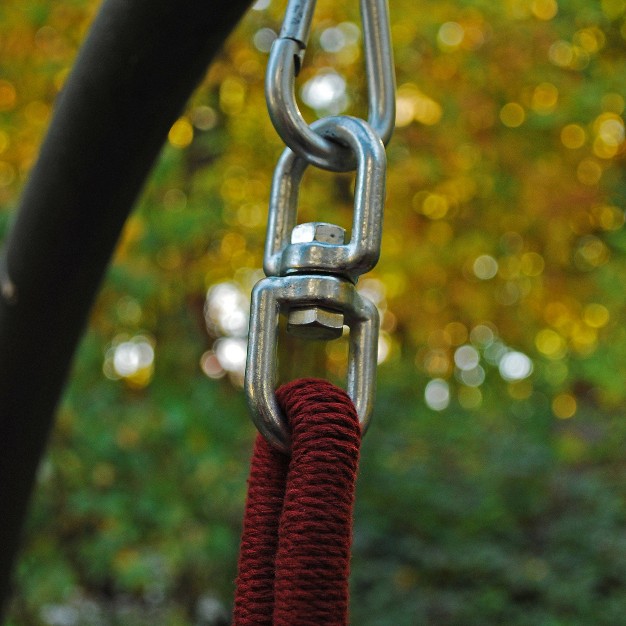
pixel 284 64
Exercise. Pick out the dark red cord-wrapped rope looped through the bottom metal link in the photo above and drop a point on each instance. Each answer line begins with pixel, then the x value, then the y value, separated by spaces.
pixel 295 549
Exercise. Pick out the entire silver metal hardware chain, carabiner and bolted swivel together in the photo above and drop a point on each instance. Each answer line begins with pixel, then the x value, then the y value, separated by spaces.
pixel 311 270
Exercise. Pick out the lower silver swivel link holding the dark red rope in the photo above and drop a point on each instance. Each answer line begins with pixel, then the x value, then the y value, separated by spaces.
pixel 274 295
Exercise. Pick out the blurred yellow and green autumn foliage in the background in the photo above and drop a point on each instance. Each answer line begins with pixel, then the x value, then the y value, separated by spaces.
pixel 493 481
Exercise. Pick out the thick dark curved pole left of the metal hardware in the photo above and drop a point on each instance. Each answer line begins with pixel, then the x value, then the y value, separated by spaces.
pixel 132 77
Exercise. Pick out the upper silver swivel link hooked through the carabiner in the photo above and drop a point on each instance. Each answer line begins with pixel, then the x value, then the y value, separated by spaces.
pixel 360 254
